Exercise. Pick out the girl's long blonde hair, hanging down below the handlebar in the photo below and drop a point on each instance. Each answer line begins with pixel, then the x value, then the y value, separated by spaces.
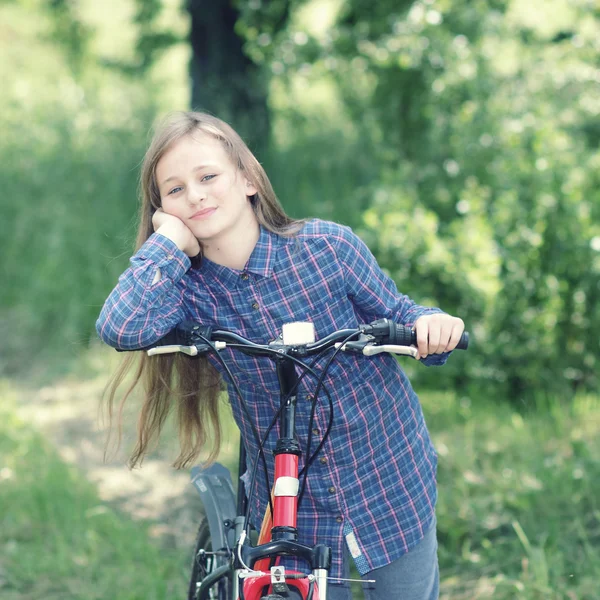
pixel 191 383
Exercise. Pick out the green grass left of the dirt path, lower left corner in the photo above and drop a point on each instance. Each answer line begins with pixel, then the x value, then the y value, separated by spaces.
pixel 59 541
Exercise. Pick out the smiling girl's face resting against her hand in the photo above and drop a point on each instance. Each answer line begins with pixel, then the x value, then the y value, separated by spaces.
pixel 200 186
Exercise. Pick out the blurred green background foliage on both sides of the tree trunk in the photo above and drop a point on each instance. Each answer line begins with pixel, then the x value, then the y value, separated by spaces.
pixel 460 139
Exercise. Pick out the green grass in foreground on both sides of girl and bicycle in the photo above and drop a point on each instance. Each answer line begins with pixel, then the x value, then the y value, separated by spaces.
pixel 518 514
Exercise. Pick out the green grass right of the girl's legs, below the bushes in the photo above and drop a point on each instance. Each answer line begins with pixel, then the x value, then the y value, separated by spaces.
pixel 519 507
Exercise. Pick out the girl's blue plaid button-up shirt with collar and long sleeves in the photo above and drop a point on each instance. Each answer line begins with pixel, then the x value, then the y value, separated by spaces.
pixel 373 484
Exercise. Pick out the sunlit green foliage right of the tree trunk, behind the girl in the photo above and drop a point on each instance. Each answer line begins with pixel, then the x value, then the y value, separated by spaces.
pixel 482 121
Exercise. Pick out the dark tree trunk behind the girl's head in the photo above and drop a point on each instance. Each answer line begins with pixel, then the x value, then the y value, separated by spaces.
pixel 225 82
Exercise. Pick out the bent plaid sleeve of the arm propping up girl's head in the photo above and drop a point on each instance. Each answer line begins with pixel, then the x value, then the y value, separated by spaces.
pixel 148 300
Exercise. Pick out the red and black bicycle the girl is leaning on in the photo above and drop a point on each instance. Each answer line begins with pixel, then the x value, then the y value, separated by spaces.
pixel 226 565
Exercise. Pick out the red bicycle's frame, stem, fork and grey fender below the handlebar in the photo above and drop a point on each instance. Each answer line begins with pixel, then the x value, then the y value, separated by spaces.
pixel 278 536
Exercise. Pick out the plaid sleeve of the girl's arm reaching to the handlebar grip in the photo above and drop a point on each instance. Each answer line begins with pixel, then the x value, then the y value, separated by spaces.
pixel 373 292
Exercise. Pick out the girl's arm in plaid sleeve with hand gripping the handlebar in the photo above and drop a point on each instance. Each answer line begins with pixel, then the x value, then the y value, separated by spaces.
pixel 376 296
